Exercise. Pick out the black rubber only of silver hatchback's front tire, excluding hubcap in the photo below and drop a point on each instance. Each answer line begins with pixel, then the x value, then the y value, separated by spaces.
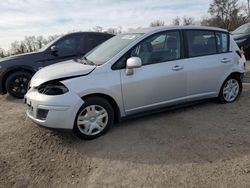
pixel 94 101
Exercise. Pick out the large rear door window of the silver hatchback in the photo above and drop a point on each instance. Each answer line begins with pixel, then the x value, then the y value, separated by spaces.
pixel 201 43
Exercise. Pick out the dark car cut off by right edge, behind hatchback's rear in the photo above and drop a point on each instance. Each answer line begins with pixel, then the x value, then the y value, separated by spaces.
pixel 241 36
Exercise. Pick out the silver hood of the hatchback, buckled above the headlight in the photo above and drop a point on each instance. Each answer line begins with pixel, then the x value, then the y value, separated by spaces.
pixel 61 71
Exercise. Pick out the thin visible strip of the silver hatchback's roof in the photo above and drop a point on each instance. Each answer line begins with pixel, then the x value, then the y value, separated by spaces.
pixel 165 28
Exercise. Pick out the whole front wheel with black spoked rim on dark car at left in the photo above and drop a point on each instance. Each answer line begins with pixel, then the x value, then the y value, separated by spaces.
pixel 17 84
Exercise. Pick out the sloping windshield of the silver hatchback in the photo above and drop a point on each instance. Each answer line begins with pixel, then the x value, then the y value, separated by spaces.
pixel 110 48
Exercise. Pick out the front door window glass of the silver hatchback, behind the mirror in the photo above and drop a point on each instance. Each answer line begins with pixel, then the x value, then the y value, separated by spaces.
pixel 158 48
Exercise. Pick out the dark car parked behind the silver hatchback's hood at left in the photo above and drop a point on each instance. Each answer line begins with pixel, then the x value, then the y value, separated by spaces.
pixel 16 71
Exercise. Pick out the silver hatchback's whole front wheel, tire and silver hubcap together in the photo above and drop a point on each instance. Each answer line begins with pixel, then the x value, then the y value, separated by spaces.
pixel 94 118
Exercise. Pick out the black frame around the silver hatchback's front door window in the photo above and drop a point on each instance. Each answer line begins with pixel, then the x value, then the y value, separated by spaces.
pixel 113 67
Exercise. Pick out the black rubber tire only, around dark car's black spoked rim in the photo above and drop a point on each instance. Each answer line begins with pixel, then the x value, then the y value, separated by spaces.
pixel 11 78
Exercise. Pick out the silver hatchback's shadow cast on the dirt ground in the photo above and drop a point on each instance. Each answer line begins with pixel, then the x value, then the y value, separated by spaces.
pixel 201 133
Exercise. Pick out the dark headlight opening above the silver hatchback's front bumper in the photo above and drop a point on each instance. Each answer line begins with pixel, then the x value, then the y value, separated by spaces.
pixel 52 88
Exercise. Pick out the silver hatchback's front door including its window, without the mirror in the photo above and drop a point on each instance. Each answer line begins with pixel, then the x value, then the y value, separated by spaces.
pixel 162 78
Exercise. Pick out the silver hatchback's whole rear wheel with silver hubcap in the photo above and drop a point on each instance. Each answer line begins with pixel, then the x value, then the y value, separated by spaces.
pixel 230 89
